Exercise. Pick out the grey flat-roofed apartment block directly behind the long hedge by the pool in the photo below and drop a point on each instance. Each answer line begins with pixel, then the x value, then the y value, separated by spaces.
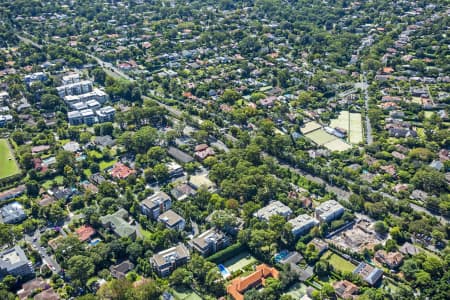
pixel 209 242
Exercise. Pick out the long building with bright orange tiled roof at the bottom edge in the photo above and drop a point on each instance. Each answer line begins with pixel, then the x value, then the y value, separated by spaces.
pixel 240 285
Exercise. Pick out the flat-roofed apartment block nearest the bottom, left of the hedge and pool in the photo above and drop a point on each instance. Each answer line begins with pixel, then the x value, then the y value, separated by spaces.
pixel 168 260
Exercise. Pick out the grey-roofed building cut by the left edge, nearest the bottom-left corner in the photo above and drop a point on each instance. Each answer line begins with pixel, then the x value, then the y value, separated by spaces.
pixel 14 262
